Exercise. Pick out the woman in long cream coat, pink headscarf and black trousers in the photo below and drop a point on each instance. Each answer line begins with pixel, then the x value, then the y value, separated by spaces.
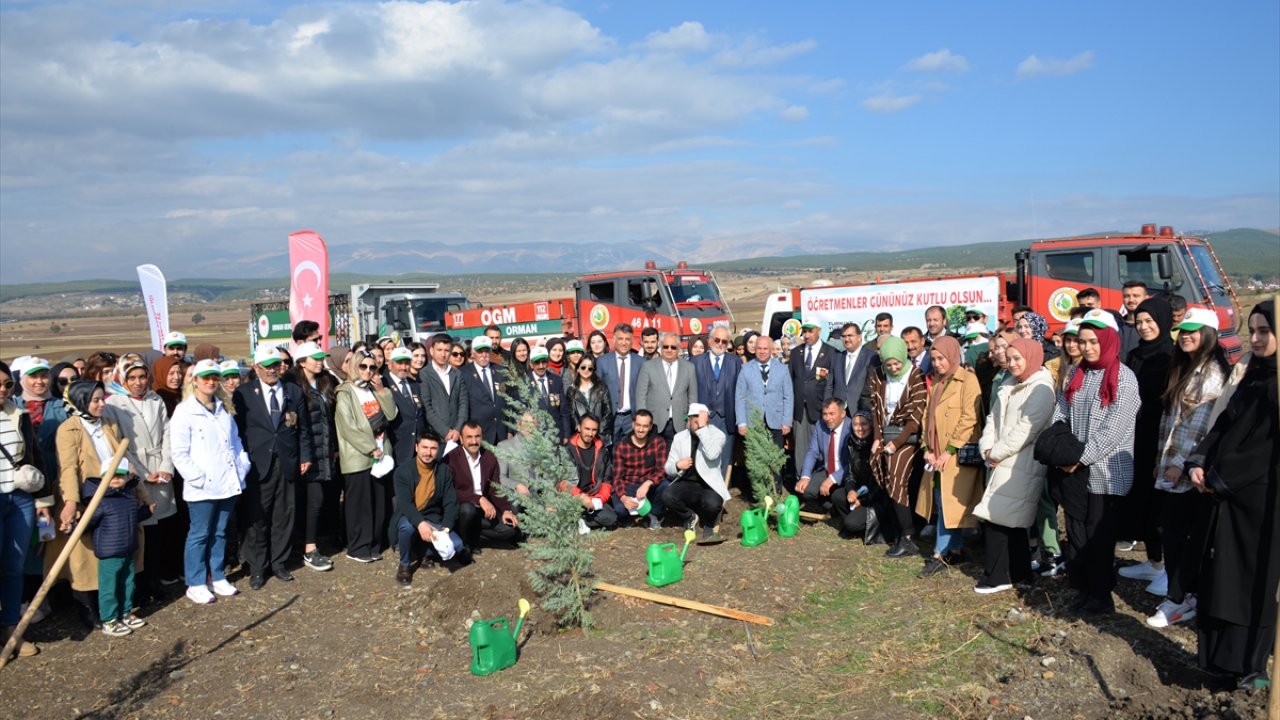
pixel 1023 407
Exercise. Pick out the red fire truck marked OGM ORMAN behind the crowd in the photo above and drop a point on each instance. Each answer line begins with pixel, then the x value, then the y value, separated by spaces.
pixel 679 300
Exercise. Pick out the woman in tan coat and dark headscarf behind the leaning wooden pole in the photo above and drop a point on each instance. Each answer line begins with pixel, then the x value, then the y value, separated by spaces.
pixel 86 444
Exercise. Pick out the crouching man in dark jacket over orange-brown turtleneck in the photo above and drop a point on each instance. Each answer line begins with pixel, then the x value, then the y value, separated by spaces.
pixel 426 504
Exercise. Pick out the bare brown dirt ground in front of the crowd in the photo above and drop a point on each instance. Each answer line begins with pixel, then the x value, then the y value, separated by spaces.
pixel 856 636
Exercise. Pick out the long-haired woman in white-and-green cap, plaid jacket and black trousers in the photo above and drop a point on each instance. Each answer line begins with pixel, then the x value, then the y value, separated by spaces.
pixel 1196 381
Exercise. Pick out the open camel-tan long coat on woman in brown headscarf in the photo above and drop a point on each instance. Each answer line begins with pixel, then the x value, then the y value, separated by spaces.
pixel 959 420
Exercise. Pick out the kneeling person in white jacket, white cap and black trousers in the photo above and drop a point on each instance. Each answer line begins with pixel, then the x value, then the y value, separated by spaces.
pixel 697 493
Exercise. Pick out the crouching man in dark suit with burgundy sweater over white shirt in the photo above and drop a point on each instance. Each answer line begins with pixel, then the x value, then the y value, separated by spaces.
pixel 483 514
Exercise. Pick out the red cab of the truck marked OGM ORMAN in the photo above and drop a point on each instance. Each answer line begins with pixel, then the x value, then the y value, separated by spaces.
pixel 680 300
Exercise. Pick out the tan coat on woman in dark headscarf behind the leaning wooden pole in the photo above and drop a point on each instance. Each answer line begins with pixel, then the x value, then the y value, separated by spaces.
pixel 79 462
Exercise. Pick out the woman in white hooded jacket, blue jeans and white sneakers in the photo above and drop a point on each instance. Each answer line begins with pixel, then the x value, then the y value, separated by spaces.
pixel 208 453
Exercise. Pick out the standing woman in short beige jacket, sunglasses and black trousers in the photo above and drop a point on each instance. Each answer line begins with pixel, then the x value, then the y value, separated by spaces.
pixel 363 408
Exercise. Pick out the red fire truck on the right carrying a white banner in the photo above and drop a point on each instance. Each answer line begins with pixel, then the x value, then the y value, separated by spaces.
pixel 1048 277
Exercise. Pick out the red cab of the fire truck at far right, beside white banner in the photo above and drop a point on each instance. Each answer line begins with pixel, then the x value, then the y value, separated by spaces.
pixel 1052 272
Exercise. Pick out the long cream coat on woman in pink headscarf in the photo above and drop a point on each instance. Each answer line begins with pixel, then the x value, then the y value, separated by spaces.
pixel 1021 413
